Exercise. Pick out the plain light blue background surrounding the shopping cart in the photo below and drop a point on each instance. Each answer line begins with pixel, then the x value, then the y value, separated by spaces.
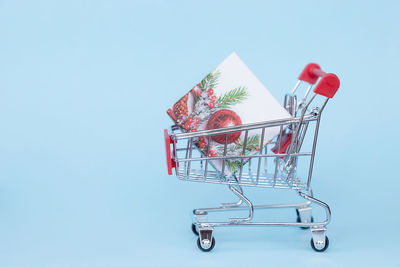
pixel 84 86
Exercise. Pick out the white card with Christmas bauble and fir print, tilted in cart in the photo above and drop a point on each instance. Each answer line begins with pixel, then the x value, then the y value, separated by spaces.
pixel 230 95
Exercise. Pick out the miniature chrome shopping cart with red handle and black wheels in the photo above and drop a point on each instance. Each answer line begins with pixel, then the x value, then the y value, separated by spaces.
pixel 285 162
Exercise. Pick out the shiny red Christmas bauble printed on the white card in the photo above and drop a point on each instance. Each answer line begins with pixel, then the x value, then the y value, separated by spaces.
pixel 221 119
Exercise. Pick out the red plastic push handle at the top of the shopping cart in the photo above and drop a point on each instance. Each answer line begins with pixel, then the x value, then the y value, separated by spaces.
pixel 327 86
